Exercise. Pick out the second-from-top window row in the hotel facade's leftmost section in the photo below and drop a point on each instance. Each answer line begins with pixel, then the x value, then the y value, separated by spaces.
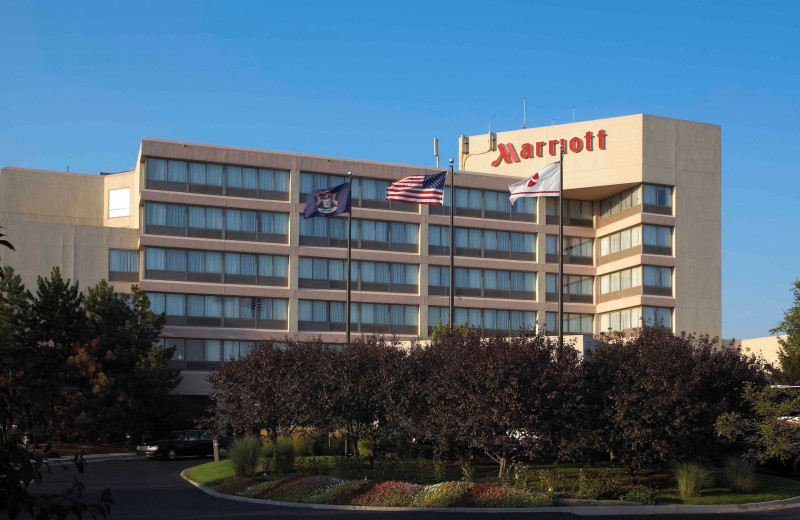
pixel 173 215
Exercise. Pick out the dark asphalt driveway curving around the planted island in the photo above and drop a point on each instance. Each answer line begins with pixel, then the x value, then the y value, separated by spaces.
pixel 148 489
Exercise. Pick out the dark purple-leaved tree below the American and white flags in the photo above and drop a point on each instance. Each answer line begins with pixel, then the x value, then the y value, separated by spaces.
pixel 508 397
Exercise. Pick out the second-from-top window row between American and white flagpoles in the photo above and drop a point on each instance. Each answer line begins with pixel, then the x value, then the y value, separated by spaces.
pixel 482 239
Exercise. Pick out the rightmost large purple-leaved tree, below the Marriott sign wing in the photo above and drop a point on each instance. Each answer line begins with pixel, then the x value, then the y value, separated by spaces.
pixel 657 395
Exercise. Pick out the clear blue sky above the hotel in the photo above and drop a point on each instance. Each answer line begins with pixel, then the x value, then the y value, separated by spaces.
pixel 83 83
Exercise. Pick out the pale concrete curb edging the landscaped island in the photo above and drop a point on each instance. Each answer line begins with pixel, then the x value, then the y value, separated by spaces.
pixel 575 510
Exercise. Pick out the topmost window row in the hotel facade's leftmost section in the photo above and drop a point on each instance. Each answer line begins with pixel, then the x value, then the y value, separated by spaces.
pixel 217 175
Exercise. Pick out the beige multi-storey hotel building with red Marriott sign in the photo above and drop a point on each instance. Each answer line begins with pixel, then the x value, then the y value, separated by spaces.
pixel 215 236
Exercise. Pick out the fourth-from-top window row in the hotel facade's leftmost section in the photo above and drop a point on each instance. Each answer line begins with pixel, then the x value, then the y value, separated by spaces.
pixel 206 306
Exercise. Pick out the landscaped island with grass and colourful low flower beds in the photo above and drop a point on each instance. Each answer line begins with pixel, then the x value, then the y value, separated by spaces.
pixel 528 486
